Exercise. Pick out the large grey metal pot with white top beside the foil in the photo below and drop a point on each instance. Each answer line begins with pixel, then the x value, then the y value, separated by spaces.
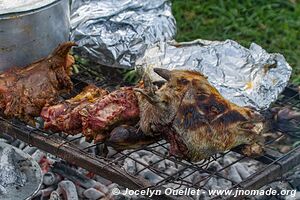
pixel 31 29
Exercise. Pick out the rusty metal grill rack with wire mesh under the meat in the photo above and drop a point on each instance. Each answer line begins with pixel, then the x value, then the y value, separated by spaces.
pixel 272 165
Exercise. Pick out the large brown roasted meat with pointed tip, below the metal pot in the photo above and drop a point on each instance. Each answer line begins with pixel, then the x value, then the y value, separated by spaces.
pixel 24 91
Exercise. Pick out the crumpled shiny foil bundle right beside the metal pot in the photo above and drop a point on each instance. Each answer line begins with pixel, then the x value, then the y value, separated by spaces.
pixel 116 32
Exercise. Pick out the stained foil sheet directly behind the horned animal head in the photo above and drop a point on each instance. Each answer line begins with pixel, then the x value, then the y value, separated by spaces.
pixel 248 77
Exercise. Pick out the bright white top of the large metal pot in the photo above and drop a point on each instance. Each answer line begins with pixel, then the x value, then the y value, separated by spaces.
pixel 15 6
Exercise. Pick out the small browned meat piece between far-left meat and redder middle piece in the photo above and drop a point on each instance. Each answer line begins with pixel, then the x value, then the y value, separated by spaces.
pixel 65 116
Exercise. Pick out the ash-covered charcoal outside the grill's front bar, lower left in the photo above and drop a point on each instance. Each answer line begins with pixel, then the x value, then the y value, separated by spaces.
pixel 62 181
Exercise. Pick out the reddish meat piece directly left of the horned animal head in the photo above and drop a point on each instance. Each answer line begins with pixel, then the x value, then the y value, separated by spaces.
pixel 116 108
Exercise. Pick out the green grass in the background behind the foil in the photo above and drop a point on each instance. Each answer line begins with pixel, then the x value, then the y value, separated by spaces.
pixel 273 24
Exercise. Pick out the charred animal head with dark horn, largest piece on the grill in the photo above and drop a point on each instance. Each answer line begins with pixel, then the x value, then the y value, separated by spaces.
pixel 195 119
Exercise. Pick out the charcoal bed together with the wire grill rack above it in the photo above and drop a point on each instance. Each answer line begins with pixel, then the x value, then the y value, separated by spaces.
pixel 75 167
